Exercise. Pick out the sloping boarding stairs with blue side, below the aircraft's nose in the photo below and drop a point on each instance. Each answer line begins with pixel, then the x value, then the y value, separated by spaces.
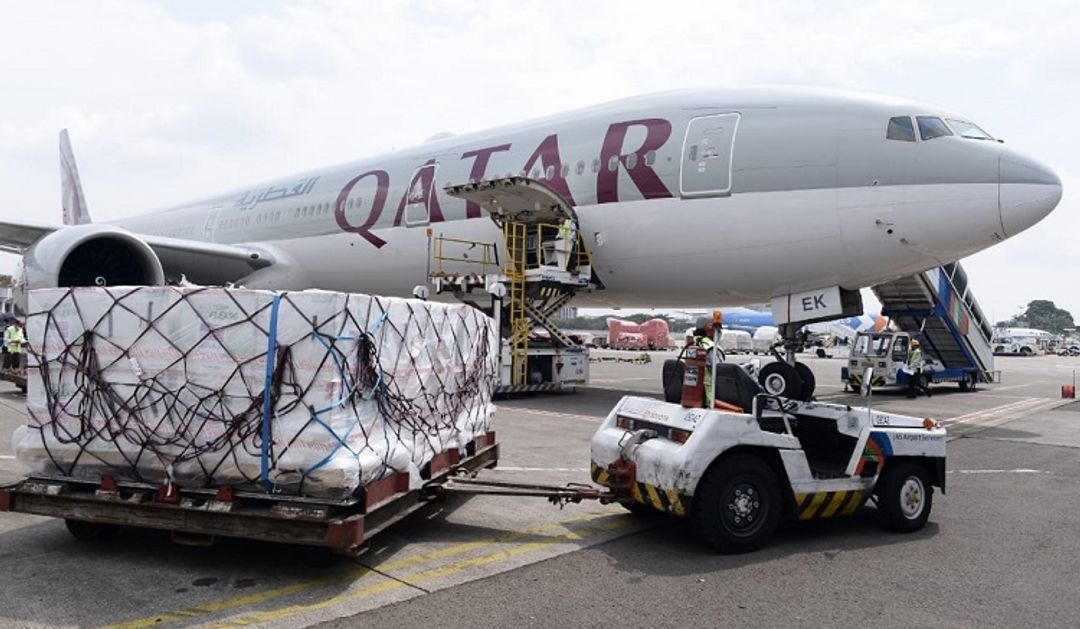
pixel 939 307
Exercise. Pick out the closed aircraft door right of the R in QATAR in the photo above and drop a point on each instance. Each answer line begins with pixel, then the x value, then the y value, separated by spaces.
pixel 708 154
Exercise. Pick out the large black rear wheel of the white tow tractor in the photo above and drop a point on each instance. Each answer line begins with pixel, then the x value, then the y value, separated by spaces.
pixel 737 505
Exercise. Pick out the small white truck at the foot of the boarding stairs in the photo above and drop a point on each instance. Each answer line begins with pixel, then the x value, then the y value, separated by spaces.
pixel 887 353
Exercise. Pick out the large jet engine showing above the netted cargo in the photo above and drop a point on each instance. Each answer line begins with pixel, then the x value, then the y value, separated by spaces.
pixel 88 256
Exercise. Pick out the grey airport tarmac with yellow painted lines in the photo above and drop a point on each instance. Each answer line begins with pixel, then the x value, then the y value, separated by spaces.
pixel 1001 548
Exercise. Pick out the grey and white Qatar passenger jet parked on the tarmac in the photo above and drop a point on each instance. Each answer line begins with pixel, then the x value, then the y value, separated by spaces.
pixel 719 197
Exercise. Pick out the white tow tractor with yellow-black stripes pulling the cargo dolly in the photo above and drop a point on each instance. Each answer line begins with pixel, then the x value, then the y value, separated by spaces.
pixel 737 473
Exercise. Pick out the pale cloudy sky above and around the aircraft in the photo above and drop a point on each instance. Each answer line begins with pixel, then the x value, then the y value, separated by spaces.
pixel 170 101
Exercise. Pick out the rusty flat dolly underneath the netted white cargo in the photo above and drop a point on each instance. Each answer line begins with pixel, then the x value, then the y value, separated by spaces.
pixel 97 510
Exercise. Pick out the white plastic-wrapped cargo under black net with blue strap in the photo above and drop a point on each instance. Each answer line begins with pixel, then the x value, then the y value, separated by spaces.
pixel 310 394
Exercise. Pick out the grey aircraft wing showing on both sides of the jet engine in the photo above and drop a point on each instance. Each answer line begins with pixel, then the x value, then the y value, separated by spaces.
pixel 204 263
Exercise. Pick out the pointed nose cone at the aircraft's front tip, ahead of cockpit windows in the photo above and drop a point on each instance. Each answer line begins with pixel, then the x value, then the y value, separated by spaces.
pixel 1028 192
